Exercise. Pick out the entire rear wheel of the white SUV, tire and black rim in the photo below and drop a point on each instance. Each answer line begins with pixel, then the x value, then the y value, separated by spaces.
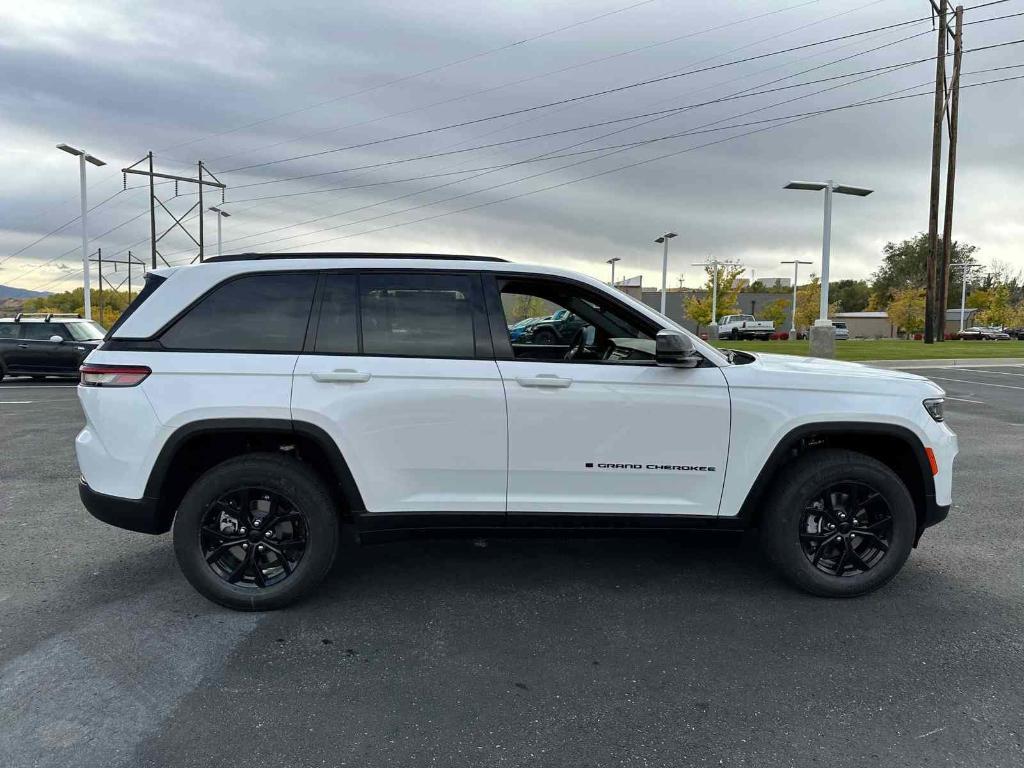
pixel 245 483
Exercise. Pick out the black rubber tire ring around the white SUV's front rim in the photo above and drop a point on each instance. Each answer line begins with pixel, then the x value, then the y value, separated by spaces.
pixel 781 526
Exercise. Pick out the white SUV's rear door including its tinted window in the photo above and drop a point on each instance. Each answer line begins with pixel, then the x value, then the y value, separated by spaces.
pixel 401 373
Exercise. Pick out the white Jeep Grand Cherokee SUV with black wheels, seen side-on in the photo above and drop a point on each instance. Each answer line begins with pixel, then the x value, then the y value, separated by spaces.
pixel 252 403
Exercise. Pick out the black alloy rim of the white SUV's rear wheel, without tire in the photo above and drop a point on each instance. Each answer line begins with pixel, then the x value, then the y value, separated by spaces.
pixel 253 537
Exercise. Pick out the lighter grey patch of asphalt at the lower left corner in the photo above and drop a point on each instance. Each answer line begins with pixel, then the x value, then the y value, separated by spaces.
pixel 89 697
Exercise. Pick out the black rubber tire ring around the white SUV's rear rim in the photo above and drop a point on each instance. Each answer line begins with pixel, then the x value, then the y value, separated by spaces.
pixel 278 475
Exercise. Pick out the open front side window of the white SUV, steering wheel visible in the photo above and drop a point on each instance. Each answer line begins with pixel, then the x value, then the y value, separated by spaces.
pixel 550 321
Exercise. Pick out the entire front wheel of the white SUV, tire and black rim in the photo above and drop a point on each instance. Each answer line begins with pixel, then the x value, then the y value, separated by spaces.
pixel 793 532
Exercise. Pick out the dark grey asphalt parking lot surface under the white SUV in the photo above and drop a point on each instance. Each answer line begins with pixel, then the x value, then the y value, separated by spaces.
pixel 541 653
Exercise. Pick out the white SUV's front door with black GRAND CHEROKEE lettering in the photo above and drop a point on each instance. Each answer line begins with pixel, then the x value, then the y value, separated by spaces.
pixel 595 426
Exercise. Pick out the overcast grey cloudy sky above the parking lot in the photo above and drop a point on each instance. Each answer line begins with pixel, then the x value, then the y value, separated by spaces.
pixel 243 83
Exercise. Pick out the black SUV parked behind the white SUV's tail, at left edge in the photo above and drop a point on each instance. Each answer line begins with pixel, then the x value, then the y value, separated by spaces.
pixel 40 346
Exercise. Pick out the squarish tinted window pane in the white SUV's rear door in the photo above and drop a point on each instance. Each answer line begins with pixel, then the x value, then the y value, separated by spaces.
pixel 417 316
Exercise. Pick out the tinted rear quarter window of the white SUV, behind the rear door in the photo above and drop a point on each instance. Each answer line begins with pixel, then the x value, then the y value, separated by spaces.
pixel 257 314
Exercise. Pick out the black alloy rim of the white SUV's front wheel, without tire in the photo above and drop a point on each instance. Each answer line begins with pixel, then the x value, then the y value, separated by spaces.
pixel 846 530
